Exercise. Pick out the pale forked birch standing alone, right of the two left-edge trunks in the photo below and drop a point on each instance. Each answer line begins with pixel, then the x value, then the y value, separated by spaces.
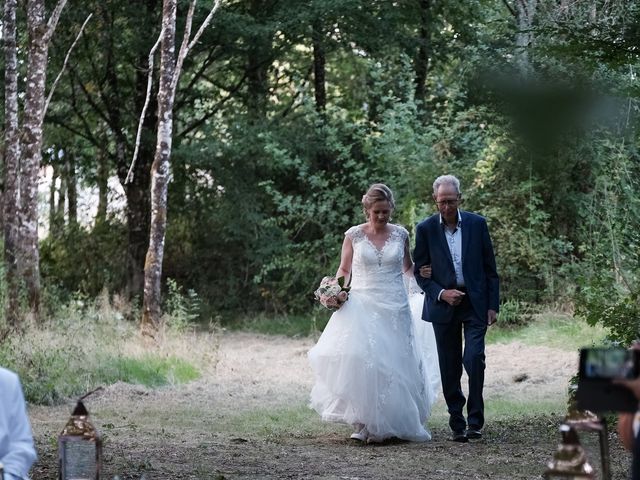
pixel 170 69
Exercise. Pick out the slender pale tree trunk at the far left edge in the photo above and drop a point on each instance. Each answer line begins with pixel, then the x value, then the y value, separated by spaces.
pixel 11 165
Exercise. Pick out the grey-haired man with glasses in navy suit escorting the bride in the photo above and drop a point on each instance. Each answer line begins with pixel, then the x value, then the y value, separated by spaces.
pixel 461 298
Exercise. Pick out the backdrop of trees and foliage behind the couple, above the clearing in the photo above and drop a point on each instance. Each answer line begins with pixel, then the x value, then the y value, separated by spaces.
pixel 282 114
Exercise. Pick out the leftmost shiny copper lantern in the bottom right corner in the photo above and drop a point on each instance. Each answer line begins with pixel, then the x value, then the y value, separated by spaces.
pixel 570 460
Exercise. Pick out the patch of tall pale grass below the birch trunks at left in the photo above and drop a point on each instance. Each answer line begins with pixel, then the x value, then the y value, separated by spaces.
pixel 87 344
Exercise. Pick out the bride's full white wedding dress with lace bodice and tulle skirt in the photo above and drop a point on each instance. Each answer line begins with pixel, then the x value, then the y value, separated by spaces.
pixel 376 362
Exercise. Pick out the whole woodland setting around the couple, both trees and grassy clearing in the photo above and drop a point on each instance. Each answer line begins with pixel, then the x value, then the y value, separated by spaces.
pixel 177 177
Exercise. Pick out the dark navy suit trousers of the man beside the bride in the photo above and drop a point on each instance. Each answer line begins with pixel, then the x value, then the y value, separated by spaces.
pixel 452 358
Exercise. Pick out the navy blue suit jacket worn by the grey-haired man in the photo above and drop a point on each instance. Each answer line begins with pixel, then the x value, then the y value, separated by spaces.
pixel 478 266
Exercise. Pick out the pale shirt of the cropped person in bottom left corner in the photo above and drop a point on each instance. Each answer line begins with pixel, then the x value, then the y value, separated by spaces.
pixel 17 452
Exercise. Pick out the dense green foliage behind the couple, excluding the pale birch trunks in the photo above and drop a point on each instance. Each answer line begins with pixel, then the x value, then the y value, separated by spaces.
pixel 265 182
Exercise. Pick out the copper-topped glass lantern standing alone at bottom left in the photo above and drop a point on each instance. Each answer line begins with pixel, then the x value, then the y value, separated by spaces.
pixel 79 448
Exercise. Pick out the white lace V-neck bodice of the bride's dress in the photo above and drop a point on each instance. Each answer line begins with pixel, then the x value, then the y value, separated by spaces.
pixel 377 268
